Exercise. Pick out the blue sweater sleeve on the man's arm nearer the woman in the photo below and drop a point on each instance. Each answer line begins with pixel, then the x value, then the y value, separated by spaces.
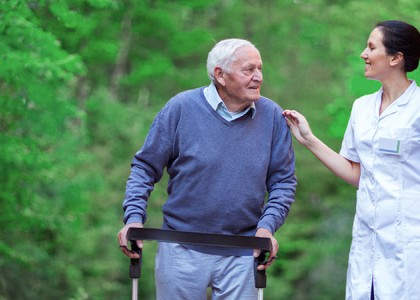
pixel 281 179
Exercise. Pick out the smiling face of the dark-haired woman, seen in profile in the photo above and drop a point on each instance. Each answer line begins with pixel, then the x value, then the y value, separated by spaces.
pixel 377 61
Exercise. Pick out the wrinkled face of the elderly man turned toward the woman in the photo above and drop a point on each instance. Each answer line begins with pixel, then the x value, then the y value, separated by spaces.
pixel 242 82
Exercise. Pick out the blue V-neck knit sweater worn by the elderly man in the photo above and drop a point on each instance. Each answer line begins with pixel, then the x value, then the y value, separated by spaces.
pixel 220 172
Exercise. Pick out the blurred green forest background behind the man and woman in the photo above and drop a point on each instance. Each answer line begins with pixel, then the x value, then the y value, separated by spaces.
pixel 80 83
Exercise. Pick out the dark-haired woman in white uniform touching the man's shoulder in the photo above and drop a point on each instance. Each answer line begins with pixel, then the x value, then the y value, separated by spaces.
pixel 380 155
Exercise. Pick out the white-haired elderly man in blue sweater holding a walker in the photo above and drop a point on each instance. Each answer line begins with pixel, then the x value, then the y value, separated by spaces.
pixel 225 148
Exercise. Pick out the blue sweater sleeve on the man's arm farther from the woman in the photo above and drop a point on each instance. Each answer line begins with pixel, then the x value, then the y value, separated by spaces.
pixel 147 167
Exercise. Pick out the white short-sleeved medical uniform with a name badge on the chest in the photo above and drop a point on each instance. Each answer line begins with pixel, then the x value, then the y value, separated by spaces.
pixel 386 231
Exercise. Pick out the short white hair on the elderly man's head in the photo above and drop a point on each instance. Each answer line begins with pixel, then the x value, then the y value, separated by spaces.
pixel 222 55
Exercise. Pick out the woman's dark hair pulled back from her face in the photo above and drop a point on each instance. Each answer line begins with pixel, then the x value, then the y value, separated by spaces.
pixel 401 37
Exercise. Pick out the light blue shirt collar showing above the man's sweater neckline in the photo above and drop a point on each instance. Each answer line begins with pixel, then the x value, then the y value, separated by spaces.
pixel 213 98
